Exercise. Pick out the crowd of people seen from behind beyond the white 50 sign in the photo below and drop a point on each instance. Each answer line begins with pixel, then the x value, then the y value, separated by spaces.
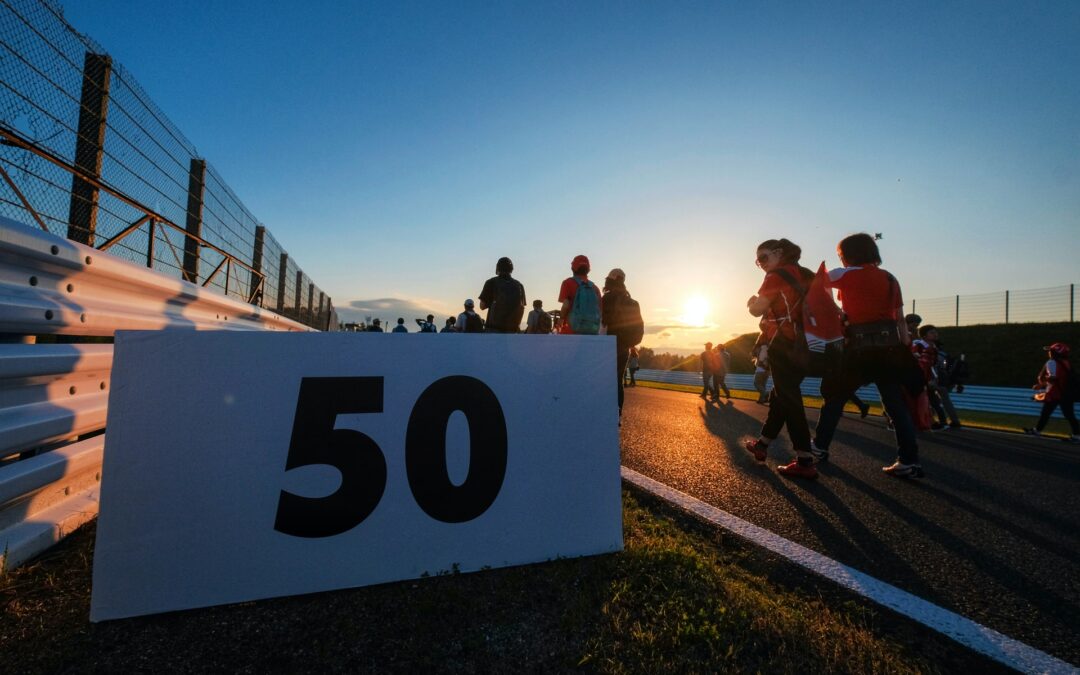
pixel 585 309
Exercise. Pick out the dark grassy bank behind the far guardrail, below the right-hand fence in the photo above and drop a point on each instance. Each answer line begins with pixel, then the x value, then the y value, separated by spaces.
pixel 998 355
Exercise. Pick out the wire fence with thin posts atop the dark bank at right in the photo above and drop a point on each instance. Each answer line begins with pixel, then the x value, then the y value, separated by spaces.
pixel 1030 306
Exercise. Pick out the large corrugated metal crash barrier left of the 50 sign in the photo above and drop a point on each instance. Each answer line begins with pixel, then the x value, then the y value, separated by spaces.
pixel 55 397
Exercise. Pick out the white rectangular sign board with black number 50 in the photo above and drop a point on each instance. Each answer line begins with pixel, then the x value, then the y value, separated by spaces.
pixel 242 466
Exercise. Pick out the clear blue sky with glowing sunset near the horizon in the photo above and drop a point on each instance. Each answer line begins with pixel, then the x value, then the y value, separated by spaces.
pixel 399 150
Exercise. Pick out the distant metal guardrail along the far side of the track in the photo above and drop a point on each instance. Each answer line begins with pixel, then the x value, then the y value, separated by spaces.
pixel 1011 400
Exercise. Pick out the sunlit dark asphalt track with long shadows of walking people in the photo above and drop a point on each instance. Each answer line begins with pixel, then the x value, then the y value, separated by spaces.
pixel 993 533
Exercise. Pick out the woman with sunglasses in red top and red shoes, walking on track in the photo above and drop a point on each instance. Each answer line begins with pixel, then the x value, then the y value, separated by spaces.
pixel 780 302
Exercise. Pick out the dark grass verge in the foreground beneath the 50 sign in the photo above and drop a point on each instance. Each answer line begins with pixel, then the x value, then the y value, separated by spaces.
pixel 682 598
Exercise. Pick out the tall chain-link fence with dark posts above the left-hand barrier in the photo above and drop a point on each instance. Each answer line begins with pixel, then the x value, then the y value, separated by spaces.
pixel 86 154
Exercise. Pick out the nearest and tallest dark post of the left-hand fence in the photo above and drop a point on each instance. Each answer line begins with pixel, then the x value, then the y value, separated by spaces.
pixel 89 147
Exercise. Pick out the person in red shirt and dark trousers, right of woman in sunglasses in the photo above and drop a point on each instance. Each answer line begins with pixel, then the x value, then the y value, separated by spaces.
pixel 879 349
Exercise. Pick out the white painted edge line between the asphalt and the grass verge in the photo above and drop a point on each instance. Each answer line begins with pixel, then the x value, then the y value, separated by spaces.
pixel 1014 654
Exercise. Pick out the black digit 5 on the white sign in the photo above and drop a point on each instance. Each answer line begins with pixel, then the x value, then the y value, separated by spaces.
pixel 356 455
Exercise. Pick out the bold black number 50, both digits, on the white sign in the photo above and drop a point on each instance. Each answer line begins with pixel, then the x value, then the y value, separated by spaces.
pixel 361 463
